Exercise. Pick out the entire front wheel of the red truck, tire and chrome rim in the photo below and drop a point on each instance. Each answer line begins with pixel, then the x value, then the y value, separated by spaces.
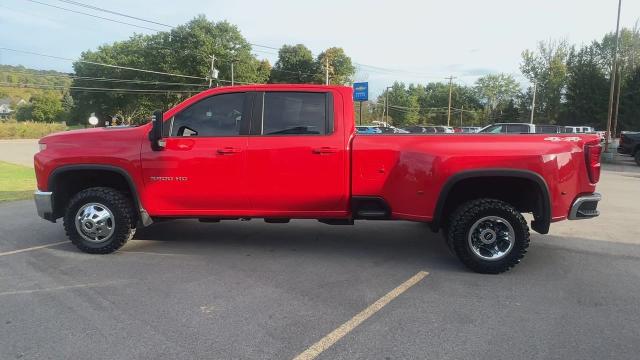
pixel 99 220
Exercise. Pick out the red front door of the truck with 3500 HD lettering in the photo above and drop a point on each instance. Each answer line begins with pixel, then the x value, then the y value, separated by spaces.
pixel 202 169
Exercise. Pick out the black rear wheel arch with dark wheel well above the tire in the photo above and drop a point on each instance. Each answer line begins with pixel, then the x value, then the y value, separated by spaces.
pixel 541 208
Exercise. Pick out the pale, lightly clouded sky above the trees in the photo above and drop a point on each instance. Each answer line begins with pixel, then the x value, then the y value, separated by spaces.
pixel 413 41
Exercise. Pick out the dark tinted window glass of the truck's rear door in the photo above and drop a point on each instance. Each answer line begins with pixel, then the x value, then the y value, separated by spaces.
pixel 295 113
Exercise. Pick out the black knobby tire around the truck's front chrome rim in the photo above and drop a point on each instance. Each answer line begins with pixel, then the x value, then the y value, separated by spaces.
pixel 124 219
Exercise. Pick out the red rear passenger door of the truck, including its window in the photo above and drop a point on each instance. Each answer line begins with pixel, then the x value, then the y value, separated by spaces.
pixel 297 157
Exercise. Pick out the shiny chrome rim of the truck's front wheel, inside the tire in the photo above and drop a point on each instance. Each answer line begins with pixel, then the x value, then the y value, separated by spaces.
pixel 95 222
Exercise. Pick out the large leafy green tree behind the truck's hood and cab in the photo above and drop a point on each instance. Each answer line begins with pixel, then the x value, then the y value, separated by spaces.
pixel 185 50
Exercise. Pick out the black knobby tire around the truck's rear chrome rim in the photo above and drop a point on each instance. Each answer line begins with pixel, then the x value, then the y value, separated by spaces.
pixel 463 218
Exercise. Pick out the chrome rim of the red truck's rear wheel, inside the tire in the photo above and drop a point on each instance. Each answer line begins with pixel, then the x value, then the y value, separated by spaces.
pixel 491 238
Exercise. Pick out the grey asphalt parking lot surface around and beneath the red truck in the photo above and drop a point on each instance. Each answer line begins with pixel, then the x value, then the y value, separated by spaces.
pixel 250 290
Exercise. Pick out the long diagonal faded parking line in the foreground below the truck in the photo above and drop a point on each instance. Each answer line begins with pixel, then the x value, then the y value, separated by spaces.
pixel 345 328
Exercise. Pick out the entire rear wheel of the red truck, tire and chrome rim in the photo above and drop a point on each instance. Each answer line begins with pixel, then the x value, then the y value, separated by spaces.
pixel 489 236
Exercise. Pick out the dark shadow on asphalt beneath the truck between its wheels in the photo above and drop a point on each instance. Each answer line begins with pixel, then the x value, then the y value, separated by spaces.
pixel 371 242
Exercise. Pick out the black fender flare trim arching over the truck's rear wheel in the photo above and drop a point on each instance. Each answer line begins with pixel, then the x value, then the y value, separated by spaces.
pixel 541 224
